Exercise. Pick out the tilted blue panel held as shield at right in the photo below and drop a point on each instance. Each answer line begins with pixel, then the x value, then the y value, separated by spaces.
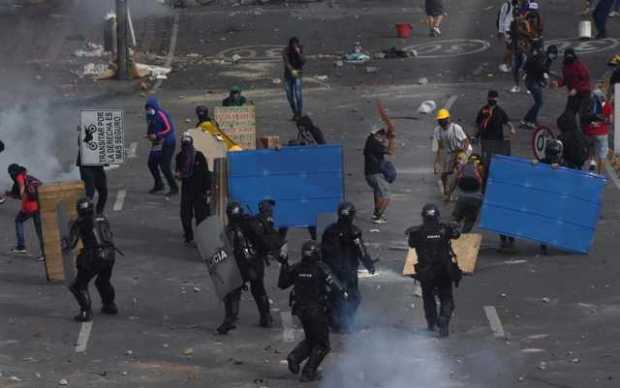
pixel 557 207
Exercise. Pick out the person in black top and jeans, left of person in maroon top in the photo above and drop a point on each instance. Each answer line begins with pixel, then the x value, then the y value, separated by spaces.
pixel 536 74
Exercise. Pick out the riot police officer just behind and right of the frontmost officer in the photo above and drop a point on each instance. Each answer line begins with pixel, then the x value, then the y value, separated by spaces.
pixel 342 250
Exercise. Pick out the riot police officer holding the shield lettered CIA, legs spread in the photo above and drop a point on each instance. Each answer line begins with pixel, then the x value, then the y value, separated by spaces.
pixel 252 267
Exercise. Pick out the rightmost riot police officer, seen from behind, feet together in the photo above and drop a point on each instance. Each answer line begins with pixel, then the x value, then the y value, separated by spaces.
pixel 435 269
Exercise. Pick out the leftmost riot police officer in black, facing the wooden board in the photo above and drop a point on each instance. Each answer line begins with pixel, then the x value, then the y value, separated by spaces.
pixel 96 258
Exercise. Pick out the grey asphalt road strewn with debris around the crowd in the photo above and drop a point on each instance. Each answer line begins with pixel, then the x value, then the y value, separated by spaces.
pixel 559 312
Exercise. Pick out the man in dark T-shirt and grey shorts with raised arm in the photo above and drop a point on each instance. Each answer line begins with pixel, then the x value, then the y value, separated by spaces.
pixel 380 142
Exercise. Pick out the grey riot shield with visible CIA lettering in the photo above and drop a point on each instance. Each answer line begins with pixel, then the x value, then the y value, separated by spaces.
pixel 218 256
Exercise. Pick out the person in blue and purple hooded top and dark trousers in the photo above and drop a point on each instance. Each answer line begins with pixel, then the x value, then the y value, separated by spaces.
pixel 162 134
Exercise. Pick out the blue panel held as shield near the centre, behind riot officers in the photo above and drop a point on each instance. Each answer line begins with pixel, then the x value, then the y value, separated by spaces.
pixel 304 181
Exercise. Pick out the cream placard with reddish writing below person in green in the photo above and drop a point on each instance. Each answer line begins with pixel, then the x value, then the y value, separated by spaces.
pixel 238 122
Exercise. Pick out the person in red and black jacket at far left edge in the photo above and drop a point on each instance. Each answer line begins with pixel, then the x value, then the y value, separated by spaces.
pixel 29 208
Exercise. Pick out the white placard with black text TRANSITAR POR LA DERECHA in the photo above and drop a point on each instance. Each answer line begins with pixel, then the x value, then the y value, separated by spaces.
pixel 102 137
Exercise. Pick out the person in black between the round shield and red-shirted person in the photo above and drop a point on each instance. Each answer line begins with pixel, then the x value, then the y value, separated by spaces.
pixel 575 150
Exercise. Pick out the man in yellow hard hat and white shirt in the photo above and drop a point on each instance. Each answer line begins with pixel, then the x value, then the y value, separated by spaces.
pixel 450 138
